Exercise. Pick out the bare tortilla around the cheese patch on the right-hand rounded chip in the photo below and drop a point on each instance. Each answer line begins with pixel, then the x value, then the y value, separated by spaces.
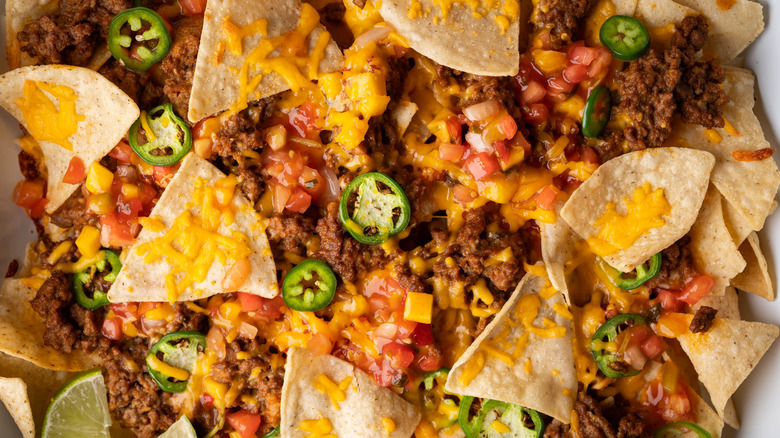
pixel 683 174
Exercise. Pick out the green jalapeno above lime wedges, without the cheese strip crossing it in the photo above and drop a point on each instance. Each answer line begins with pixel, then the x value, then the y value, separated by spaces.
pixel 178 356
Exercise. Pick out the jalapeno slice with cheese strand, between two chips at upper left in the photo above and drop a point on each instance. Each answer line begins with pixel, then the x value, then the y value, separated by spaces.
pixel 168 138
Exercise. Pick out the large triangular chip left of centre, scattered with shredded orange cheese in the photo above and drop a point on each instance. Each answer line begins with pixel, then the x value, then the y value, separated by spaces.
pixel 158 268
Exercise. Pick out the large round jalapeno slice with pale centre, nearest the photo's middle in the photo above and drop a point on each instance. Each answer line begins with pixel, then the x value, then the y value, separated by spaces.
pixel 379 208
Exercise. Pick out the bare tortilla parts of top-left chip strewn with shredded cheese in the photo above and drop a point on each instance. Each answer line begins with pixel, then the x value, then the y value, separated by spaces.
pixel 216 83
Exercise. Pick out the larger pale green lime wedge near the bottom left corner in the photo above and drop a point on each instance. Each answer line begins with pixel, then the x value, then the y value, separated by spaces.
pixel 79 409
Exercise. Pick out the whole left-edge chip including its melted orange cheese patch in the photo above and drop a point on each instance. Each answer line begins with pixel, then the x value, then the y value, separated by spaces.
pixel 86 118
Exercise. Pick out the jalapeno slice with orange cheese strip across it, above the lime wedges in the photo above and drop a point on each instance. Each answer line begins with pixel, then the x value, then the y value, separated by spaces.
pixel 179 351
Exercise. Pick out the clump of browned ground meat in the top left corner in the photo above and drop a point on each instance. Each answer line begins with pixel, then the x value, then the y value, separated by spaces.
pixel 72 36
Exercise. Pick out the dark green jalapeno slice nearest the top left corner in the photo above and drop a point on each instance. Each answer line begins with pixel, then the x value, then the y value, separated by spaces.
pixel 144 42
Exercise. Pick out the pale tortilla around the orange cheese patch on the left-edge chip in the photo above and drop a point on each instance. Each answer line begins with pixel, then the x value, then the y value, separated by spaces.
pixel 108 113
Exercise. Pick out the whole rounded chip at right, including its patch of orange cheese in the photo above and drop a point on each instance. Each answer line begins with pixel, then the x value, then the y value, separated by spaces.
pixel 681 174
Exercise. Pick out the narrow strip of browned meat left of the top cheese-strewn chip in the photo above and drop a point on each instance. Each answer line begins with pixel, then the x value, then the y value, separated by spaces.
pixel 179 64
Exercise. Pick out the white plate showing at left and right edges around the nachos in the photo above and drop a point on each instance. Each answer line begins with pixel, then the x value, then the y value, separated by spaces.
pixel 757 399
